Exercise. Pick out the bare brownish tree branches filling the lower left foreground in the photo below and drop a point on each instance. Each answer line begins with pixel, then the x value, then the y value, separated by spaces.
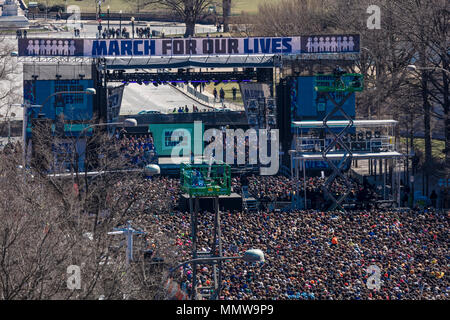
pixel 51 222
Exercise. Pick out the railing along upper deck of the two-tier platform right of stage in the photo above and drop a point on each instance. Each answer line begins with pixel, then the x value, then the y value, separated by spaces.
pixel 374 145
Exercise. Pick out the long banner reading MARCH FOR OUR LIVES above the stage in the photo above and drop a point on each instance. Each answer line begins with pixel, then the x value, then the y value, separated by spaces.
pixel 315 44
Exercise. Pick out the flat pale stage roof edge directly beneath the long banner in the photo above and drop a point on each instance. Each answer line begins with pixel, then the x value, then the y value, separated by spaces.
pixel 212 61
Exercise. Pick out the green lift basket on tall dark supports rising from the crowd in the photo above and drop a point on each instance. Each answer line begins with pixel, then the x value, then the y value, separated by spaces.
pixel 206 181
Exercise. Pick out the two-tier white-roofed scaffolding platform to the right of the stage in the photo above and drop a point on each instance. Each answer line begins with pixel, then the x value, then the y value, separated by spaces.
pixel 379 146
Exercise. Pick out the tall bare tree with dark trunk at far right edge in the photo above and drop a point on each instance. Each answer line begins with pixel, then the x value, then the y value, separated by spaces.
pixel 423 25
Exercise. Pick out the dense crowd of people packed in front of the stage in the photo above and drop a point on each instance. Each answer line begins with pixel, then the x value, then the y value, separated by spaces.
pixel 309 255
